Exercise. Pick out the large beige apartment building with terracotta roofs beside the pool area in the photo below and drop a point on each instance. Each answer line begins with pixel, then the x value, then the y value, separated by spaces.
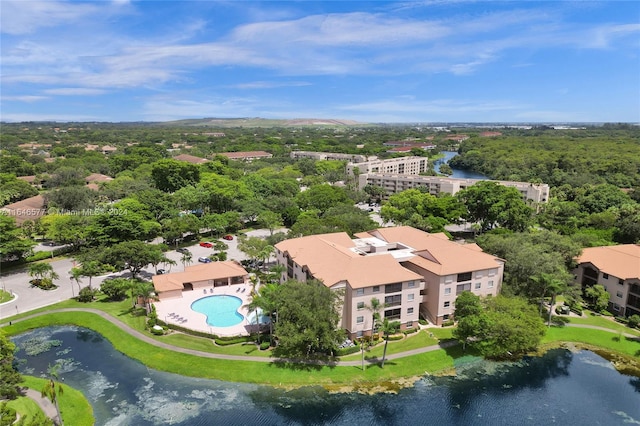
pixel 413 274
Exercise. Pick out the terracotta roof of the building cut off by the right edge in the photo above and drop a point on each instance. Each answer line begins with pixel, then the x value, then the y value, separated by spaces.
pixel 622 261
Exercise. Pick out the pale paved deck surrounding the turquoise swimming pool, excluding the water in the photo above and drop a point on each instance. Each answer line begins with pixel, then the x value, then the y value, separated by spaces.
pixel 198 321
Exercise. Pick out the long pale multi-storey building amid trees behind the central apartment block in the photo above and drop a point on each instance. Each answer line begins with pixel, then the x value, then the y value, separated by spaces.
pixel 396 182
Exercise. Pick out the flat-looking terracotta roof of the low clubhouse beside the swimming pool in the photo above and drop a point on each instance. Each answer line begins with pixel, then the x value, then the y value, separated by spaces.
pixel 196 273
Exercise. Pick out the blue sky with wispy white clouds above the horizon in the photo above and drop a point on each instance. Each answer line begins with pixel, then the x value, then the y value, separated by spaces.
pixel 367 61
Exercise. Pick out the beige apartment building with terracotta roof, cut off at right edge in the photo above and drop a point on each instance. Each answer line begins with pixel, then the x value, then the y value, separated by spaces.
pixel 617 268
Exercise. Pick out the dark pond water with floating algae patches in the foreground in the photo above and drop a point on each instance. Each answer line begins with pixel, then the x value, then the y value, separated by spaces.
pixel 561 387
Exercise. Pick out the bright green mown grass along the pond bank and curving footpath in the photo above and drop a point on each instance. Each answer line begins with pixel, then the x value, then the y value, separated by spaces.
pixel 398 373
